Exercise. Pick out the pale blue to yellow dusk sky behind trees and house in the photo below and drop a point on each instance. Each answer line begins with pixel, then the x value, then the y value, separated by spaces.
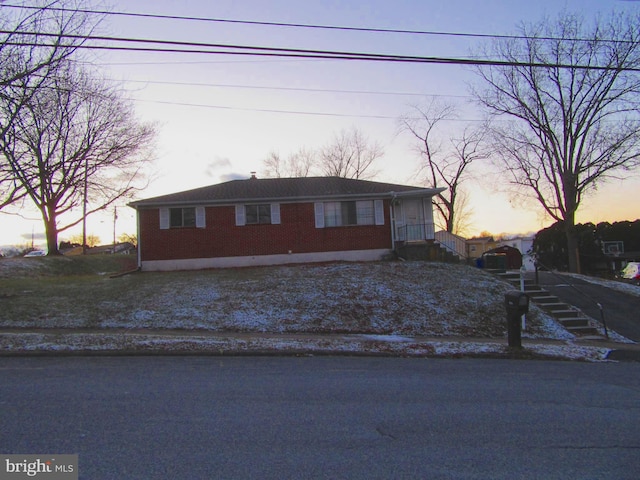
pixel 219 116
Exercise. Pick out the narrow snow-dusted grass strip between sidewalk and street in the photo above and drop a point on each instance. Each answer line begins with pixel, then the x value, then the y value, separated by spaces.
pixel 125 343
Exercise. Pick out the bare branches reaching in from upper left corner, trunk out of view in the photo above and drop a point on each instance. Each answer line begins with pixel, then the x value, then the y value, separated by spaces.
pixel 33 41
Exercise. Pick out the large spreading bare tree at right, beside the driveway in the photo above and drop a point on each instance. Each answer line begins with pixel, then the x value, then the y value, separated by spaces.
pixel 571 94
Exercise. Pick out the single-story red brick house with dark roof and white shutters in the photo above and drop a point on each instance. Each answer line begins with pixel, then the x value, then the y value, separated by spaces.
pixel 280 220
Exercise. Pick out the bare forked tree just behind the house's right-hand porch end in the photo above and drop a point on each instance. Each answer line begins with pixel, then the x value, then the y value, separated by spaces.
pixel 446 165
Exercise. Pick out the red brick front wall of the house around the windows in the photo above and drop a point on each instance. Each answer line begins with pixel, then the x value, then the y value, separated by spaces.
pixel 222 238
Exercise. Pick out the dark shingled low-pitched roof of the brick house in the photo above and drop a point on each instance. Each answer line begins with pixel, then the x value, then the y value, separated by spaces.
pixel 283 189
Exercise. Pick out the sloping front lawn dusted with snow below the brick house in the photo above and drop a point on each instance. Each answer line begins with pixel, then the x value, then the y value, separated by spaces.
pixel 408 298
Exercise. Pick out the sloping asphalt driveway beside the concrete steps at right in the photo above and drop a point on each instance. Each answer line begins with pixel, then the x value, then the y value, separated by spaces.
pixel 621 310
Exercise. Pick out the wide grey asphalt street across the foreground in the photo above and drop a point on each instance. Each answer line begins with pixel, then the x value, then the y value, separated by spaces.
pixel 324 417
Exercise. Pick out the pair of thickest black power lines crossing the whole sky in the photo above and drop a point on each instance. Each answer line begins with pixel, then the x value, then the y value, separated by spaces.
pixel 252 50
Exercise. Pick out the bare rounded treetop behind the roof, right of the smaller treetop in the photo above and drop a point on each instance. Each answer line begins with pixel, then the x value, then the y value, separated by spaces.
pixel 350 155
